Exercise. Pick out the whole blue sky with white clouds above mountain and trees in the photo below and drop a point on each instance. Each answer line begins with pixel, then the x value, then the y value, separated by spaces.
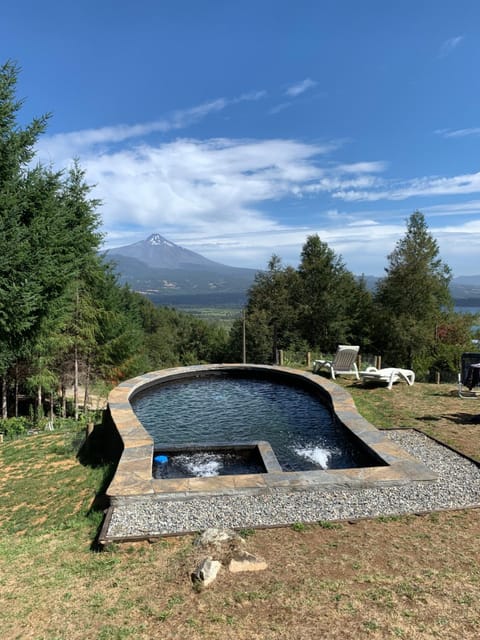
pixel 236 129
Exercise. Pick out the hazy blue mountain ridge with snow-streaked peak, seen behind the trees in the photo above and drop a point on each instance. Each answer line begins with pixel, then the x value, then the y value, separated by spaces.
pixel 170 274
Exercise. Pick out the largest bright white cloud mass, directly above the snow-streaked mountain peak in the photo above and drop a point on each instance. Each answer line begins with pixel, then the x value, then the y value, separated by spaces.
pixel 196 184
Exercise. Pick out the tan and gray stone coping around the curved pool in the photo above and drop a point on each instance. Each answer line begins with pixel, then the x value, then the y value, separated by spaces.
pixel 133 478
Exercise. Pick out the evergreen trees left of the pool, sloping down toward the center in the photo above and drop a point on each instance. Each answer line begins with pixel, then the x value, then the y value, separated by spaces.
pixel 64 320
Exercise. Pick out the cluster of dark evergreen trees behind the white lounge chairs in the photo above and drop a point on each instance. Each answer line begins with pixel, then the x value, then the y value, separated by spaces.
pixel 408 319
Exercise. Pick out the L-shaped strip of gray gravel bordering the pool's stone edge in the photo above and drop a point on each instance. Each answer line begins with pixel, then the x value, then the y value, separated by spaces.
pixel 458 486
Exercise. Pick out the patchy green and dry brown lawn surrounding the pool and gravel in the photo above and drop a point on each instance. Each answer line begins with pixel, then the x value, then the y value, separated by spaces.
pixel 404 577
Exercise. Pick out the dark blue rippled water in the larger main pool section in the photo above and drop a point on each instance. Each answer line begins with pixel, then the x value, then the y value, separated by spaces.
pixel 302 431
